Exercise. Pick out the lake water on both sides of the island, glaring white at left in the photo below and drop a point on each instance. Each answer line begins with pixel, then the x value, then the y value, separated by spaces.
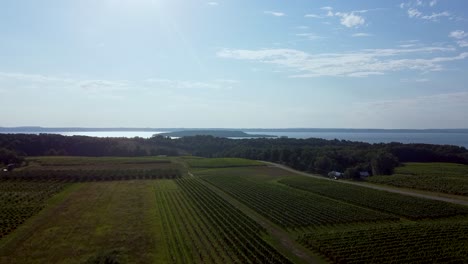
pixel 457 139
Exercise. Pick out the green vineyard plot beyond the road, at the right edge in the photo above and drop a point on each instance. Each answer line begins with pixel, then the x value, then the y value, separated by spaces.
pixel 437 177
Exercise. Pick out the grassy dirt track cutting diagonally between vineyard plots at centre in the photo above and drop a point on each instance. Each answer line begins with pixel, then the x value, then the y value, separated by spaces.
pixel 284 240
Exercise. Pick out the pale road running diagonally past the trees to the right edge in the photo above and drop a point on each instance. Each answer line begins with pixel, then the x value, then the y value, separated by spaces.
pixel 426 195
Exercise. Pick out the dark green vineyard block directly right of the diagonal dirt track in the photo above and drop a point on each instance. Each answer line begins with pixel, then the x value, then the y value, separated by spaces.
pixel 293 208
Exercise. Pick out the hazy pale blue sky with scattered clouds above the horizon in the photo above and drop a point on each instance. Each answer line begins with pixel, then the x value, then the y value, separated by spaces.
pixel 234 63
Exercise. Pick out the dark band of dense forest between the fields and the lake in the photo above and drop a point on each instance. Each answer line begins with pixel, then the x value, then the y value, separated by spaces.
pixel 316 155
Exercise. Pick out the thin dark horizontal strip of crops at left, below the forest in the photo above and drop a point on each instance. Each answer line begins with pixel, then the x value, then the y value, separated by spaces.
pixel 83 175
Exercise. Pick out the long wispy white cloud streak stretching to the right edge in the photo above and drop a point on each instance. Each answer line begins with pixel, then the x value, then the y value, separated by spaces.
pixel 360 63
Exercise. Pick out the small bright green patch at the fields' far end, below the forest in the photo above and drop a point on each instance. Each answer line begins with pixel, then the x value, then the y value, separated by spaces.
pixel 222 162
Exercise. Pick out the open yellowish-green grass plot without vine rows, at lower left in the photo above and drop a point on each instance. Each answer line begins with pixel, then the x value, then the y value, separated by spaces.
pixel 113 219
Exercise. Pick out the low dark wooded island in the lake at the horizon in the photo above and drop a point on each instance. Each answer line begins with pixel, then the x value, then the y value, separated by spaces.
pixel 214 133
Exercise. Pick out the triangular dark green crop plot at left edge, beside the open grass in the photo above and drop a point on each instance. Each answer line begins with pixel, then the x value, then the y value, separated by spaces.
pixel 21 200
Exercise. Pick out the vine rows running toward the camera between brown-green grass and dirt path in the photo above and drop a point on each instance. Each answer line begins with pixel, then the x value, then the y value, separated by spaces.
pixel 201 227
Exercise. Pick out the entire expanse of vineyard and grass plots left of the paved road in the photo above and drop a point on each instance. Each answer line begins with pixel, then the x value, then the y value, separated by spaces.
pixel 125 210
